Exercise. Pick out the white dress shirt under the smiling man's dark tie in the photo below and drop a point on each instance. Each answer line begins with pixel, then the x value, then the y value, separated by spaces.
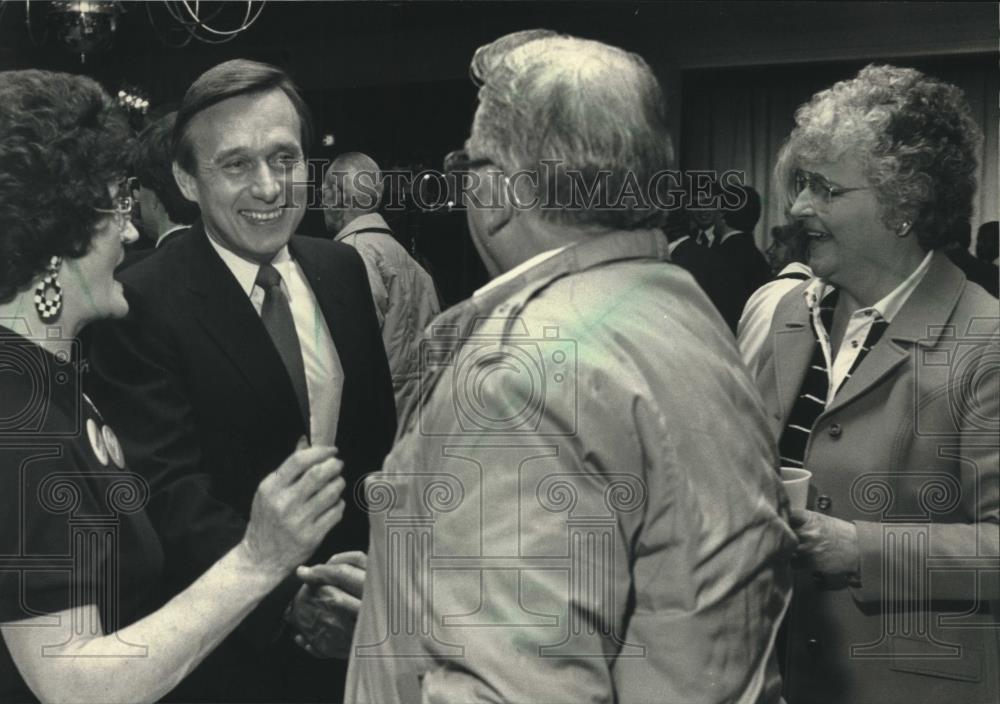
pixel 324 373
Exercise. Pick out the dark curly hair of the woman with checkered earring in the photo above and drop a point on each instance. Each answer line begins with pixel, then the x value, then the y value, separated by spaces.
pixel 62 140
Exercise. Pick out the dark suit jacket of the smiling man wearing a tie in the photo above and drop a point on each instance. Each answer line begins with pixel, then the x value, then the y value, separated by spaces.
pixel 205 409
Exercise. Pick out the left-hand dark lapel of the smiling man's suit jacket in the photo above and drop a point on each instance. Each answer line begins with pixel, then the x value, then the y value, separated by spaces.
pixel 229 318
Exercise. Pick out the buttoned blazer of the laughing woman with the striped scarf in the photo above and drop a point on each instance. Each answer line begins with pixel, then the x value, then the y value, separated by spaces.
pixel 907 451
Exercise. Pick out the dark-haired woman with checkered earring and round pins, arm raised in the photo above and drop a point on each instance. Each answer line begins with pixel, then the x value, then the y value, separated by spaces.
pixel 79 560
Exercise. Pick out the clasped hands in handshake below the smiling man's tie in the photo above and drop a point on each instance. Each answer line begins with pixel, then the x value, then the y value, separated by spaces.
pixel 326 608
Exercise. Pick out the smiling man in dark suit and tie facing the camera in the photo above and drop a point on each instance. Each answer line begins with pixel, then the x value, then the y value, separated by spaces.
pixel 242 339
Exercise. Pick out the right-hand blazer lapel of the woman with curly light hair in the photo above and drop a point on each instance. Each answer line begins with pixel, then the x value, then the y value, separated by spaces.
pixel 919 322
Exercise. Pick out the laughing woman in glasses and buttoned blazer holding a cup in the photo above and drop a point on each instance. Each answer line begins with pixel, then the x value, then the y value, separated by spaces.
pixel 881 378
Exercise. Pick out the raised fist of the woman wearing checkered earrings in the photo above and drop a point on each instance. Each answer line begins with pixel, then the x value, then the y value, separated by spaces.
pixel 294 508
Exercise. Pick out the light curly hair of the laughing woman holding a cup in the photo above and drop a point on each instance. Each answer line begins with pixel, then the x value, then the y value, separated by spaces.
pixel 915 136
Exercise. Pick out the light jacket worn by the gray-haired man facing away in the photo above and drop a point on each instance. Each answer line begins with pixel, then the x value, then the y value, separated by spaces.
pixel 583 505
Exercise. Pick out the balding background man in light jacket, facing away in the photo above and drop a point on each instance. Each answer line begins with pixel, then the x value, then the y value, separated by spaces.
pixel 404 295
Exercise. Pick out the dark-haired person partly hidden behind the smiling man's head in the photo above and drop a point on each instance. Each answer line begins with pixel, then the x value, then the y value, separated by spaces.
pixel 165 212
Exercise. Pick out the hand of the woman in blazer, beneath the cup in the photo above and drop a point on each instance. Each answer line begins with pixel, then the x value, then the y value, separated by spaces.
pixel 826 545
